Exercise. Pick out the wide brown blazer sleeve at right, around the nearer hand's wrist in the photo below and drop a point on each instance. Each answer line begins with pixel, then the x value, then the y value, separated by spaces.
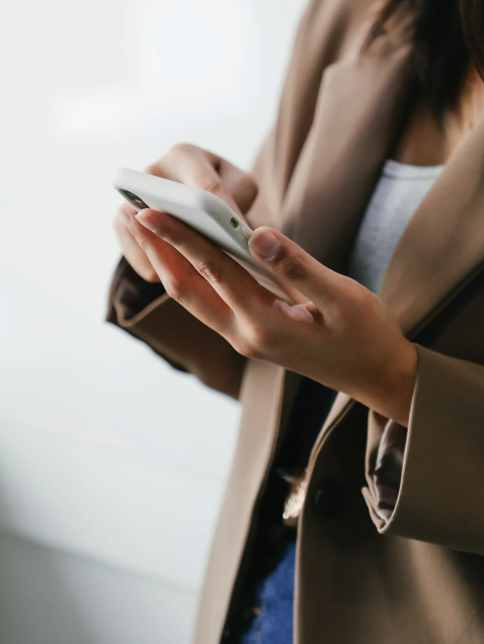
pixel 441 495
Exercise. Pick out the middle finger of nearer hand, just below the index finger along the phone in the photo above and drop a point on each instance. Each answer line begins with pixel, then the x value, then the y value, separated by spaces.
pixel 182 282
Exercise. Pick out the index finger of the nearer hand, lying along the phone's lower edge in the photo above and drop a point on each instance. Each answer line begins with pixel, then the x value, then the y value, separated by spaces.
pixel 243 294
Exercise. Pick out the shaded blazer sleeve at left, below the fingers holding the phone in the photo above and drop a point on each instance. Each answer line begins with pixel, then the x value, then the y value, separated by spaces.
pixel 145 311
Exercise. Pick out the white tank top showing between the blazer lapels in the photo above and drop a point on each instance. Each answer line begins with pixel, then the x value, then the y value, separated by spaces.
pixel 397 196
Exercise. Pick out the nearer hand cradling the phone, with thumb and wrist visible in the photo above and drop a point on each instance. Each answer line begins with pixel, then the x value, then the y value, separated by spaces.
pixel 343 337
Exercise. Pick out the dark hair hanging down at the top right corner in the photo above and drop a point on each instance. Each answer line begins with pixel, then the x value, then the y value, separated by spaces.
pixel 447 34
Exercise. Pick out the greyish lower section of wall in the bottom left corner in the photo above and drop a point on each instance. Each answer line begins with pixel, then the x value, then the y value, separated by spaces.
pixel 56 597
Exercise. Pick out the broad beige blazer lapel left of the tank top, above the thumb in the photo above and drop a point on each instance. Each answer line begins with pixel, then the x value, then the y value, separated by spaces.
pixel 360 109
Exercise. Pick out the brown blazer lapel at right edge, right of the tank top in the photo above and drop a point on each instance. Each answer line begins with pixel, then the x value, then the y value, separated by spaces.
pixel 442 247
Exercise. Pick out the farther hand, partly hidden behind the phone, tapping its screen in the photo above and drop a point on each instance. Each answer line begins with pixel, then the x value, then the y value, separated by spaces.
pixel 193 166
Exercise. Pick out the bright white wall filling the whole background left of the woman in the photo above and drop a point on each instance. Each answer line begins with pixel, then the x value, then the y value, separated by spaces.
pixel 112 466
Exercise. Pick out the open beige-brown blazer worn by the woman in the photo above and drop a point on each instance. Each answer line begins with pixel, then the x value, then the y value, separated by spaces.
pixel 420 577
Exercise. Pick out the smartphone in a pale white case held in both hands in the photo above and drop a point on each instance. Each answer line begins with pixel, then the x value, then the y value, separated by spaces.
pixel 203 211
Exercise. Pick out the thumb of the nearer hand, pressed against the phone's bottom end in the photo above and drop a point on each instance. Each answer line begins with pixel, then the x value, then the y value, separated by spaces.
pixel 293 266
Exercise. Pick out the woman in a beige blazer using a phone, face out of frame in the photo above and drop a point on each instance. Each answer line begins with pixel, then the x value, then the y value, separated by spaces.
pixel 387 246
